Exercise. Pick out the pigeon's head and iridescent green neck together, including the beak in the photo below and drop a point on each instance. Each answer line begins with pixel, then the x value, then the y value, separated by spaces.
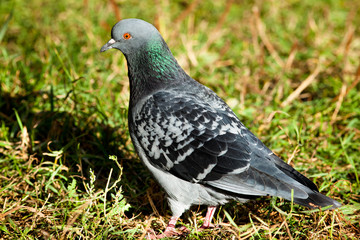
pixel 151 65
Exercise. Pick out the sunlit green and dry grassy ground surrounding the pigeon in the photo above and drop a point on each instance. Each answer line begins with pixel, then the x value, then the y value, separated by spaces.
pixel 290 70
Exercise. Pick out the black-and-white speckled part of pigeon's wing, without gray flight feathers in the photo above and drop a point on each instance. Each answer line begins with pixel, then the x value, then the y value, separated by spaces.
pixel 190 138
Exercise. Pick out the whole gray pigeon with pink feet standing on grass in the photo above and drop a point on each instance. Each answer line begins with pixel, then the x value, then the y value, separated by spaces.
pixel 189 138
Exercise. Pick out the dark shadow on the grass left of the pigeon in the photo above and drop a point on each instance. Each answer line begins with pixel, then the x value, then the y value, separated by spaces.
pixel 86 143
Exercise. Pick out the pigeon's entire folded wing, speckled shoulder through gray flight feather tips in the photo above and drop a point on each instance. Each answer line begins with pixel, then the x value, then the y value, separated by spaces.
pixel 203 141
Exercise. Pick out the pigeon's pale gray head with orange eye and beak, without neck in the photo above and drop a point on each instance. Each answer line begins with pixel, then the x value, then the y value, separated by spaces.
pixel 130 35
